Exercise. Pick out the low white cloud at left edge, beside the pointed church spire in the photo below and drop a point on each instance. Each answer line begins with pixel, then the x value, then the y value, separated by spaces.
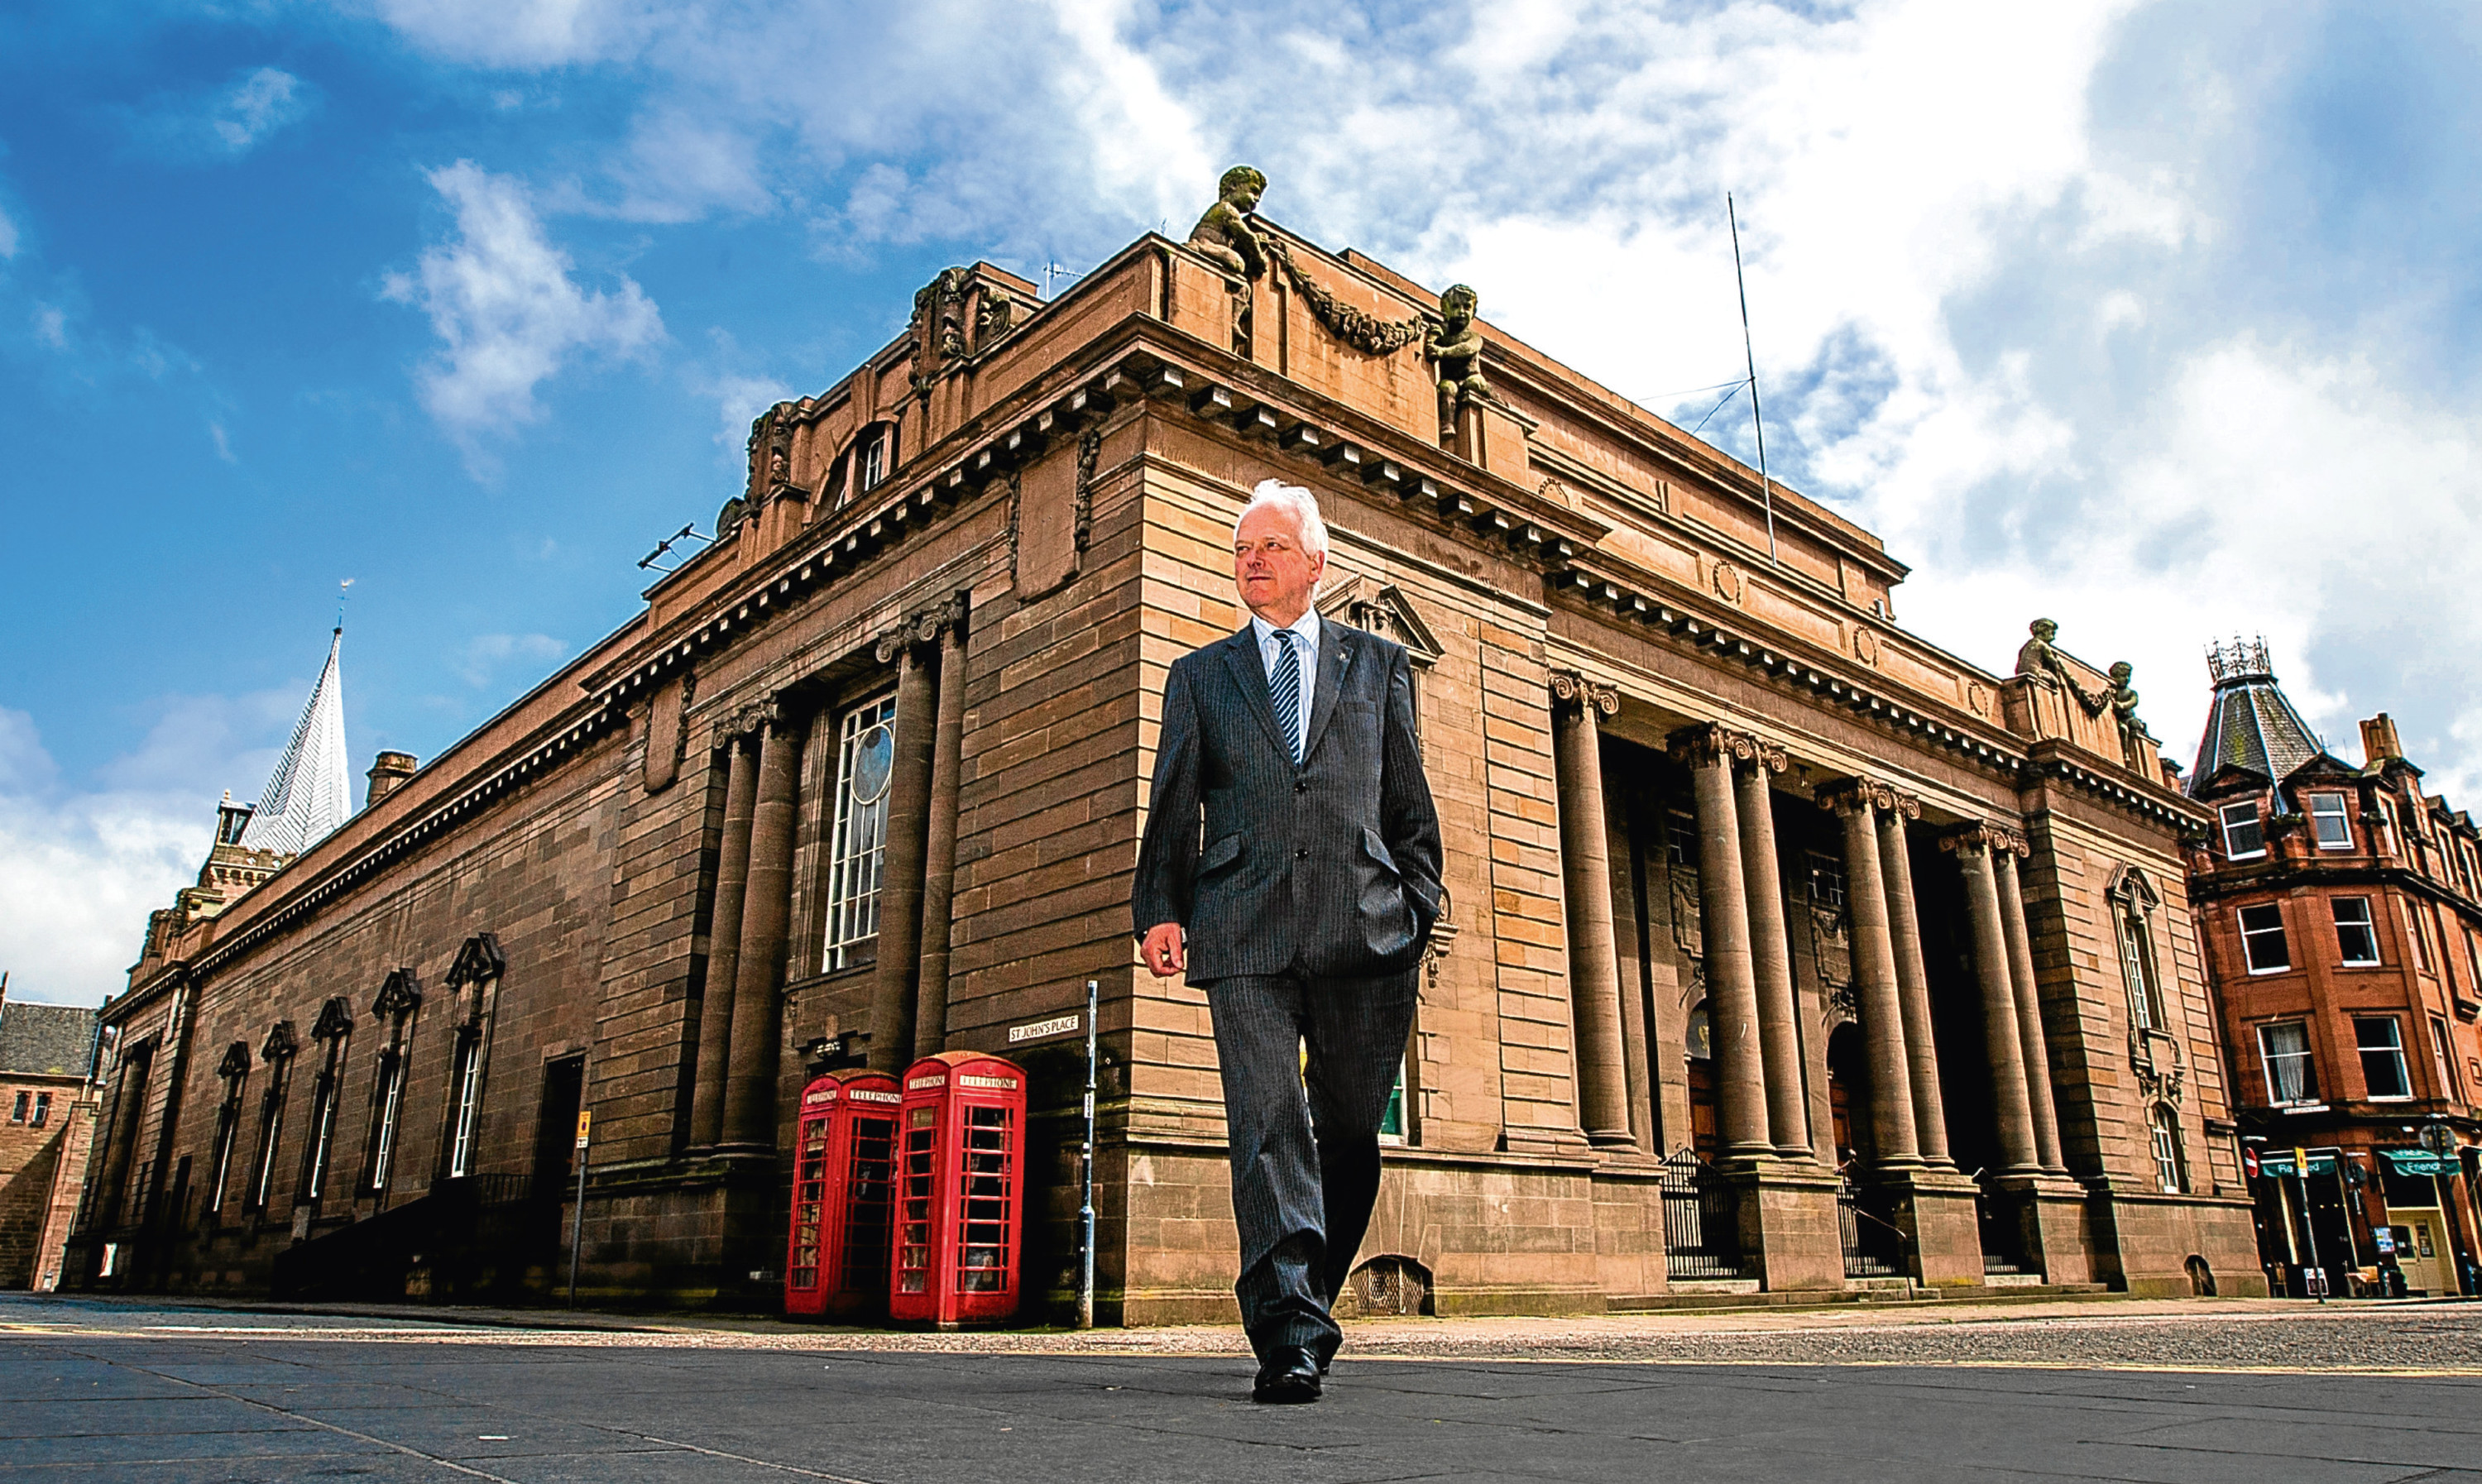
pixel 81 867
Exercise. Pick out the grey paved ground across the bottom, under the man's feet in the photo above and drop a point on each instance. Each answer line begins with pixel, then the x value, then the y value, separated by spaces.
pixel 2245 1391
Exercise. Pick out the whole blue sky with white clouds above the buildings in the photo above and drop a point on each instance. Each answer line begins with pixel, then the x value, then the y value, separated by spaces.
pixel 2153 319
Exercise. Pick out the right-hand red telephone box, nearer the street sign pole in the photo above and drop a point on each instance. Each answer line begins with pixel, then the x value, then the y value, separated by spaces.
pixel 962 1192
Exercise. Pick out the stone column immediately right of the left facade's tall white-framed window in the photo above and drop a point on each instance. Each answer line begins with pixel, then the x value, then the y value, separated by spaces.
pixel 895 986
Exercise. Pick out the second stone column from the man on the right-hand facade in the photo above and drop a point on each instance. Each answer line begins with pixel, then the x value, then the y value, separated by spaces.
pixel 1724 907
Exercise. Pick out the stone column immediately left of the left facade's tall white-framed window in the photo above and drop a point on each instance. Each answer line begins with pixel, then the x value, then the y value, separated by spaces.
pixel 766 914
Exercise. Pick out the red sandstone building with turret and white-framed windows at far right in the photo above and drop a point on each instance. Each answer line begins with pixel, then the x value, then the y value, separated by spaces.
pixel 2342 919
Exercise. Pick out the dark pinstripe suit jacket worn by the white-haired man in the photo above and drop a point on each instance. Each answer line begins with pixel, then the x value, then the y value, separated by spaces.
pixel 1329 867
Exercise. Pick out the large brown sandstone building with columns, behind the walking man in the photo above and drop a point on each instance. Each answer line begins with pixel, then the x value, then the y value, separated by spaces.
pixel 1781 944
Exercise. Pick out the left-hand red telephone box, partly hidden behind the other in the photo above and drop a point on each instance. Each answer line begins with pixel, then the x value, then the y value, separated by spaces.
pixel 843 1195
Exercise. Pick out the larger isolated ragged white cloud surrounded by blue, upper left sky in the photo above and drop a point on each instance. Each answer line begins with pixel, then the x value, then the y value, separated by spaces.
pixel 508 309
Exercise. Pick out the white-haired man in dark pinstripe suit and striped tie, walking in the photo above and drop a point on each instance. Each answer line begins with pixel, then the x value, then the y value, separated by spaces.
pixel 1304 914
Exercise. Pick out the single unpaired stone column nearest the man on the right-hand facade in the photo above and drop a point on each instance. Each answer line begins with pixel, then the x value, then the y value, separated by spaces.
pixel 1595 964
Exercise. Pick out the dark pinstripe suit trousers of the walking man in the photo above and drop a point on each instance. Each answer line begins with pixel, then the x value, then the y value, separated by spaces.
pixel 1304 1148
